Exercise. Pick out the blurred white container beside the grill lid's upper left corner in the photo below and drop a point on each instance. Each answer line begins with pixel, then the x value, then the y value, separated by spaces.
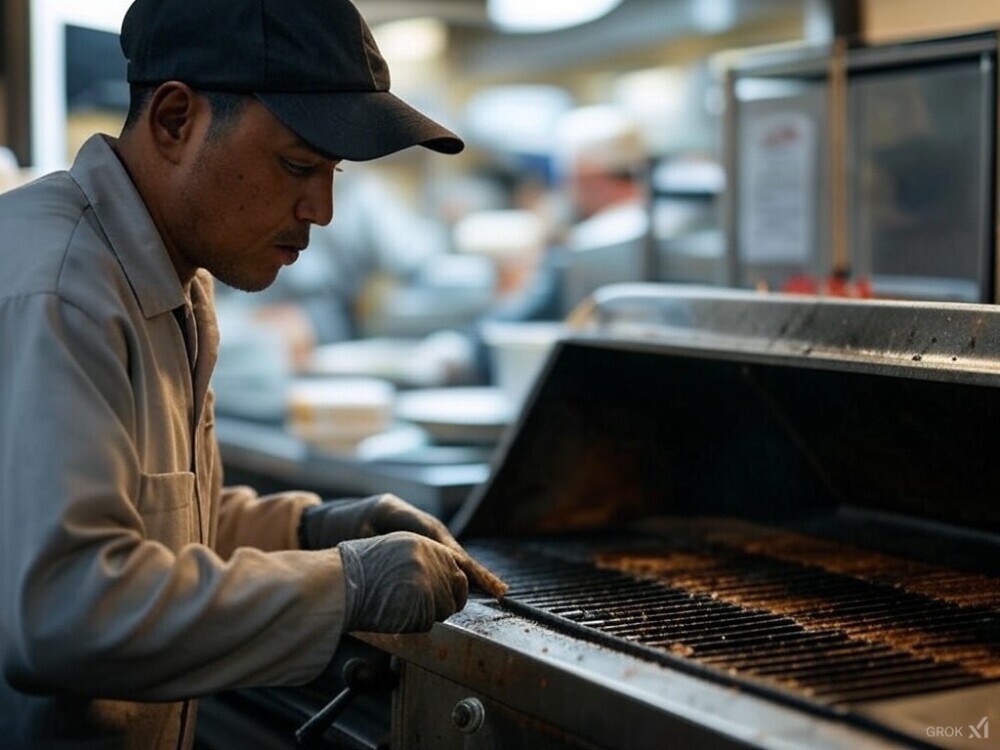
pixel 517 353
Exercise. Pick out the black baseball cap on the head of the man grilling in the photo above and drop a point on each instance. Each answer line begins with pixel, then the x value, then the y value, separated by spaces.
pixel 313 63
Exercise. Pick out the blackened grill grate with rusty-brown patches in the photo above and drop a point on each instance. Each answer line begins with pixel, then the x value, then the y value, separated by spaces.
pixel 811 630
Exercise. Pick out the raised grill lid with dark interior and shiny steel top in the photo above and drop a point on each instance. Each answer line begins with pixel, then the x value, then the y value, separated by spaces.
pixel 765 407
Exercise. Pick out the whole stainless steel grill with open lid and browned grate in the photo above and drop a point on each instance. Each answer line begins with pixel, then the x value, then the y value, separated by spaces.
pixel 732 520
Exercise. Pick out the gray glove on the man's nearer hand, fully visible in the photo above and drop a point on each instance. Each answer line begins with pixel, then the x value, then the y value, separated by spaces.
pixel 401 582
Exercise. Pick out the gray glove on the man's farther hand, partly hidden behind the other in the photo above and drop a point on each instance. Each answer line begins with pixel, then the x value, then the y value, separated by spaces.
pixel 330 523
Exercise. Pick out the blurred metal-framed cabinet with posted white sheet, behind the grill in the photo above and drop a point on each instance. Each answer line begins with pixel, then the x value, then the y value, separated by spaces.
pixel 865 170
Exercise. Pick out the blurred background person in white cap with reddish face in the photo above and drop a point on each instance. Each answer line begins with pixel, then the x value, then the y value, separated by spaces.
pixel 565 240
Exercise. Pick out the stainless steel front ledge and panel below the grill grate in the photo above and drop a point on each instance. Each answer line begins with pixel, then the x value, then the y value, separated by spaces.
pixel 563 686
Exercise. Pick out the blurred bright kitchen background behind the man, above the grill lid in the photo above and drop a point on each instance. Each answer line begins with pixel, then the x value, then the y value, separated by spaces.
pixel 809 146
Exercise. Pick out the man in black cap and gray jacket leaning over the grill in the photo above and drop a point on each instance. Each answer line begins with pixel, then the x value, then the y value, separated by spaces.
pixel 131 581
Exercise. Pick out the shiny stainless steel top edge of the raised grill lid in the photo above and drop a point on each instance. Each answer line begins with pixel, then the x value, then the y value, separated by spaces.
pixel 953 340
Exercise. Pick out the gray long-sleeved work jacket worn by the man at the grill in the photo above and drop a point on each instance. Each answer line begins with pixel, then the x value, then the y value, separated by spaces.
pixel 131 581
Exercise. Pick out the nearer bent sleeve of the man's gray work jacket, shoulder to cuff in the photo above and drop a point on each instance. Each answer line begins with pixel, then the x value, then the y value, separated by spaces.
pixel 93 602
